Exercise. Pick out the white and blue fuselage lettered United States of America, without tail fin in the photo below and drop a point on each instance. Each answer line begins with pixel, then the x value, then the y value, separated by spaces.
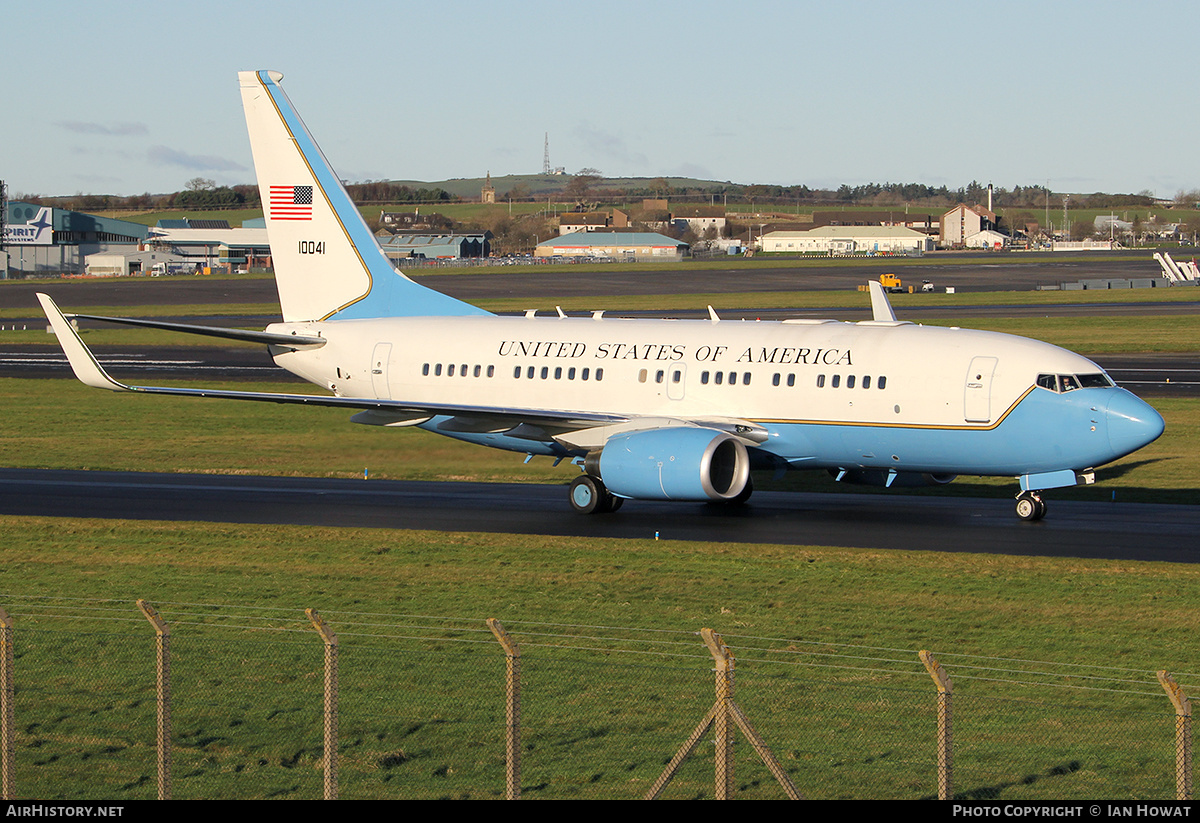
pixel 886 397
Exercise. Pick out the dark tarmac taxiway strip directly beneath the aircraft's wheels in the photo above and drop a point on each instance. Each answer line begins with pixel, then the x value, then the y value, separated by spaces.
pixel 968 526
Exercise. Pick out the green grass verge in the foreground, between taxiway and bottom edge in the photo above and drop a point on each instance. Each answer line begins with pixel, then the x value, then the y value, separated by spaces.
pixel 604 708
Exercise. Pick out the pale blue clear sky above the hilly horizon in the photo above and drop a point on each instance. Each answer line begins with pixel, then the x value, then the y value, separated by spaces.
pixel 131 98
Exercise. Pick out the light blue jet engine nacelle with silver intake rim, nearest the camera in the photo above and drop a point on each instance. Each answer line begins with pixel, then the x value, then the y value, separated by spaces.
pixel 685 464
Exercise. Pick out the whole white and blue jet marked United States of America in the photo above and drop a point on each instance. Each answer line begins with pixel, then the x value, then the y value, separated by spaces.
pixel 650 410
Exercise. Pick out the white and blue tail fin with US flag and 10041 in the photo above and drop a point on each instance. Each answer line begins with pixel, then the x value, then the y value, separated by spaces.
pixel 327 262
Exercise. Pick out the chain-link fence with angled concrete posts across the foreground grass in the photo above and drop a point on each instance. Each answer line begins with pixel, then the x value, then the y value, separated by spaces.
pixel 104 701
